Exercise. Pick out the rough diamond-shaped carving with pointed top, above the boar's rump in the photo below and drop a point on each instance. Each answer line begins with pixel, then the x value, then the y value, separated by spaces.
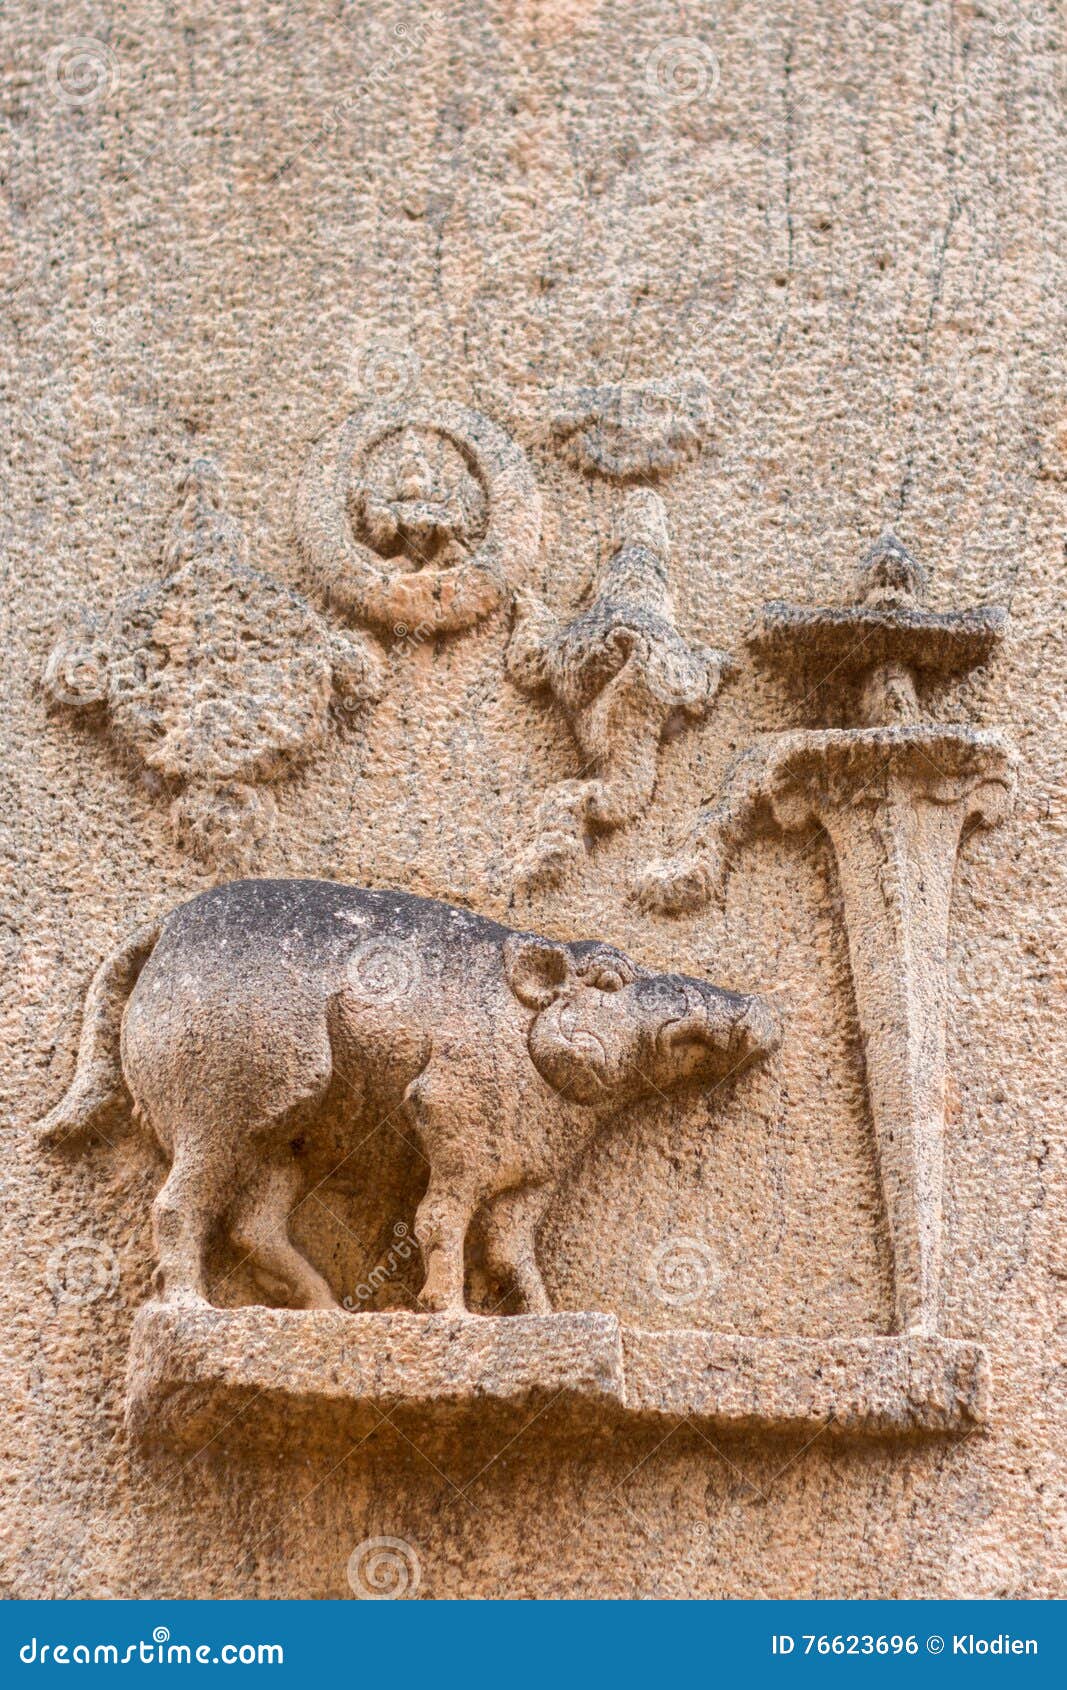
pixel 217 680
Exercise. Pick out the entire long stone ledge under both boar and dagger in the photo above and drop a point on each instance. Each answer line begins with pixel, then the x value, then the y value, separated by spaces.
pixel 253 1377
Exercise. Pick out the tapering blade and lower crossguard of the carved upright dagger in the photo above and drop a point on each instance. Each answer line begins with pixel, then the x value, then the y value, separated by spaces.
pixel 894 804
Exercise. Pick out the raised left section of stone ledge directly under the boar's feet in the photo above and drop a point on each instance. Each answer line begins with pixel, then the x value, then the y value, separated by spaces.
pixel 194 1371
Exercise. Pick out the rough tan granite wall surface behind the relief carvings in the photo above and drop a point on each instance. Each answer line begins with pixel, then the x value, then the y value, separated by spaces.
pixel 229 226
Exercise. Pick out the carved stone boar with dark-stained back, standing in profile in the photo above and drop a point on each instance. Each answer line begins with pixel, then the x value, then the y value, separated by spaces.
pixel 254 1017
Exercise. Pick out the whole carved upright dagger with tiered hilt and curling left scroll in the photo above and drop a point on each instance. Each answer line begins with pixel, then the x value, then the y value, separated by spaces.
pixel 894 797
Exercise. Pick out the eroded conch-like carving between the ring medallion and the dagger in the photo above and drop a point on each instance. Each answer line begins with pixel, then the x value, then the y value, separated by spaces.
pixel 623 675
